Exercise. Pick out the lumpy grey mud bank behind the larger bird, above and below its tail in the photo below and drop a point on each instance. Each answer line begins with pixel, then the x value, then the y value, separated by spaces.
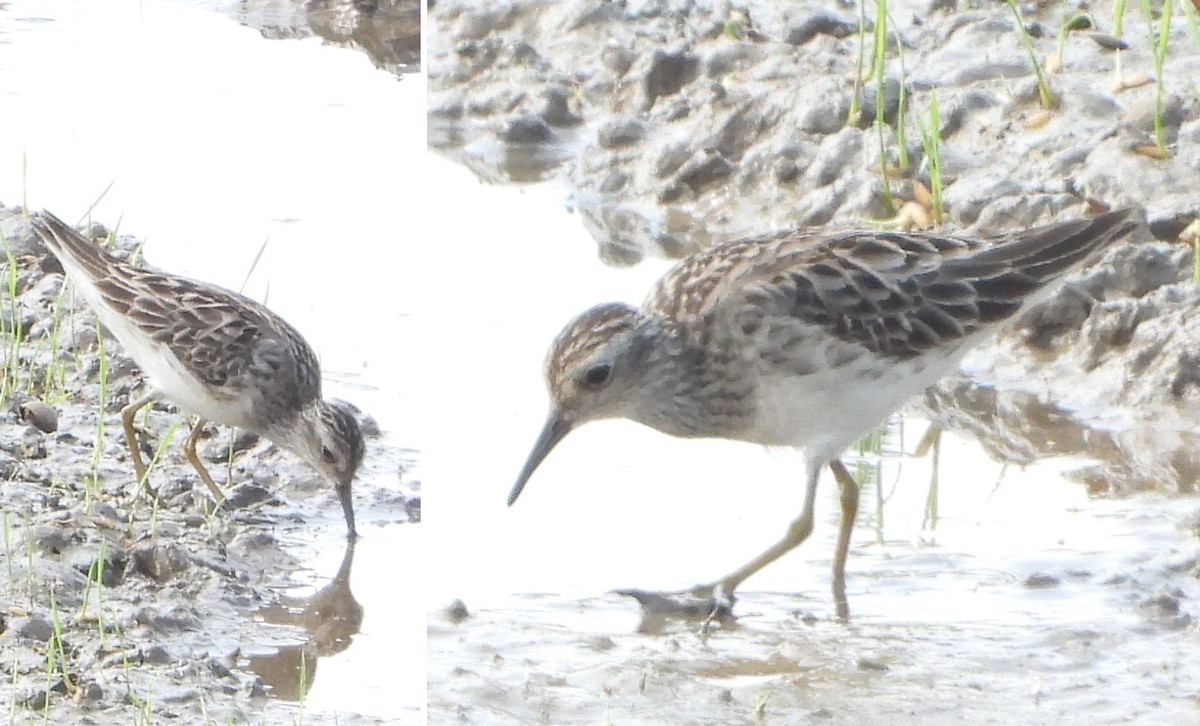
pixel 679 125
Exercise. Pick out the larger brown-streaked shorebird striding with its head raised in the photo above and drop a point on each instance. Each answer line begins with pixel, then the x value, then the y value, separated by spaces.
pixel 806 340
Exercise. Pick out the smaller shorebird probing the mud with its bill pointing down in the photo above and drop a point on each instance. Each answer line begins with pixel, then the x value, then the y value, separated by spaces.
pixel 217 355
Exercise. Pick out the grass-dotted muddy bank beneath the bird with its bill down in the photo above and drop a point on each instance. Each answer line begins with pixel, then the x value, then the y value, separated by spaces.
pixel 124 607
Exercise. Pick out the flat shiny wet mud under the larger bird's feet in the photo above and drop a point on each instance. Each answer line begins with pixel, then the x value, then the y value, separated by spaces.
pixel 1097 628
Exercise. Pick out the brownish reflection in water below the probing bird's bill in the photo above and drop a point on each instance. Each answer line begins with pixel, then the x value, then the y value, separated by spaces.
pixel 331 619
